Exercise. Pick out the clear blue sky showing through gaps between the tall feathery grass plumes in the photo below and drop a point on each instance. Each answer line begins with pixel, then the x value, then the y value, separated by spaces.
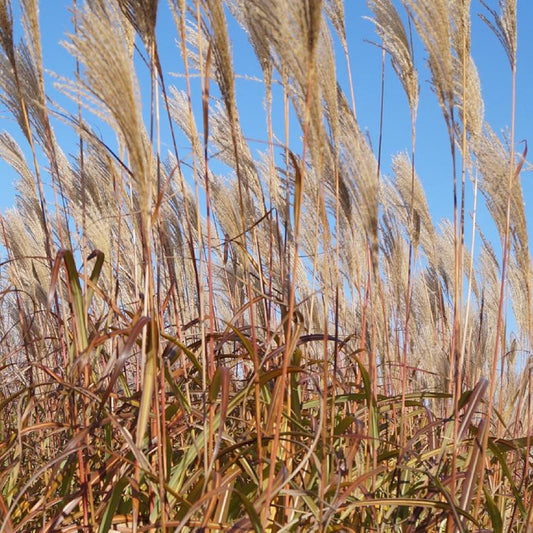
pixel 433 155
